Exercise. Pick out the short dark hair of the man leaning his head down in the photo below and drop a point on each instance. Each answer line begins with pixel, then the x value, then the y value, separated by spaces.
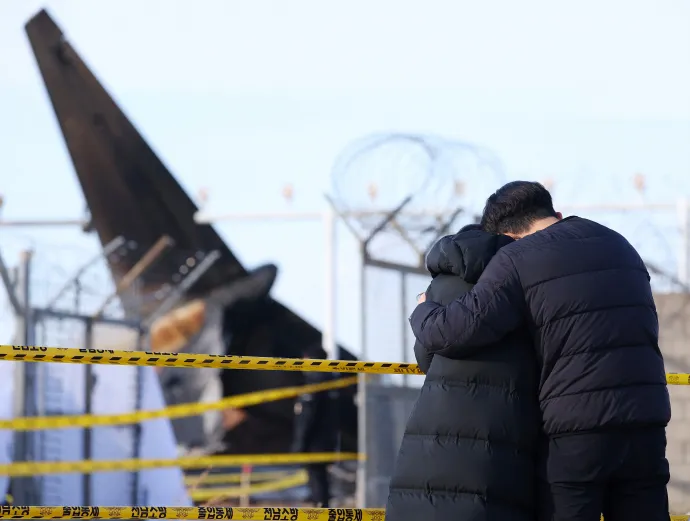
pixel 515 206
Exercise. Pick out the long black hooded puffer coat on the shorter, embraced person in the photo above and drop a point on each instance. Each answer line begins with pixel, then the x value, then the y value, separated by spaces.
pixel 468 453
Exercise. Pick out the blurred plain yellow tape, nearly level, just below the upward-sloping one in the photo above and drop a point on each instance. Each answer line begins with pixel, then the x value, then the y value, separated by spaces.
pixel 30 468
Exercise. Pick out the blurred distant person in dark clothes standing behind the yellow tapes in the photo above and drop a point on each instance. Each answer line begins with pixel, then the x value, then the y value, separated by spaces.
pixel 316 430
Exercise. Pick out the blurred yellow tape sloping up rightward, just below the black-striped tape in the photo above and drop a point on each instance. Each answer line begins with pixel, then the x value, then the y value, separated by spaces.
pixel 173 411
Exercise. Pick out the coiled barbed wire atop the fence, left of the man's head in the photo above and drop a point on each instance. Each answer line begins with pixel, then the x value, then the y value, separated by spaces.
pixel 441 178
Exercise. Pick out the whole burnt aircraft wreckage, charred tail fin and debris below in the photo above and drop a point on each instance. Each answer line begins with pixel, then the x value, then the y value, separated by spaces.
pixel 130 193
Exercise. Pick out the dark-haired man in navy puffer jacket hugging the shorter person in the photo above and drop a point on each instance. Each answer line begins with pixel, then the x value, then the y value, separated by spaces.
pixel 585 295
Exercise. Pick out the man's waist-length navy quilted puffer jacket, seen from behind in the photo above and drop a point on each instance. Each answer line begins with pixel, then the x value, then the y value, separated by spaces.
pixel 584 292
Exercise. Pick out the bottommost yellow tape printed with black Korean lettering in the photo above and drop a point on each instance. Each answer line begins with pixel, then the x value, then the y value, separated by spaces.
pixel 244 513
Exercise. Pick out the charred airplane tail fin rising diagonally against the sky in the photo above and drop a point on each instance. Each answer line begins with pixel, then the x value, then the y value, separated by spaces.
pixel 128 189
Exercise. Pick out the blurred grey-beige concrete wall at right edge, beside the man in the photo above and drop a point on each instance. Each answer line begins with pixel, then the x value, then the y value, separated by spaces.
pixel 674 325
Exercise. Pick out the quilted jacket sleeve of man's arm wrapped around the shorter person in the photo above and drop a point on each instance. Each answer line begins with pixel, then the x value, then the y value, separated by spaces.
pixel 495 307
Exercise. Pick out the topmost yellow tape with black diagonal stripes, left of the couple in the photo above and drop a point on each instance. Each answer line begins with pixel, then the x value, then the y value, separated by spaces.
pixel 112 357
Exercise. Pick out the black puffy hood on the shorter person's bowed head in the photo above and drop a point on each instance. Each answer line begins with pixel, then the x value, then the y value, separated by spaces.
pixel 465 254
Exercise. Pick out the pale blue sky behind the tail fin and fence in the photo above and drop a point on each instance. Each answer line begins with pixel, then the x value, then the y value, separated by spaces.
pixel 244 96
